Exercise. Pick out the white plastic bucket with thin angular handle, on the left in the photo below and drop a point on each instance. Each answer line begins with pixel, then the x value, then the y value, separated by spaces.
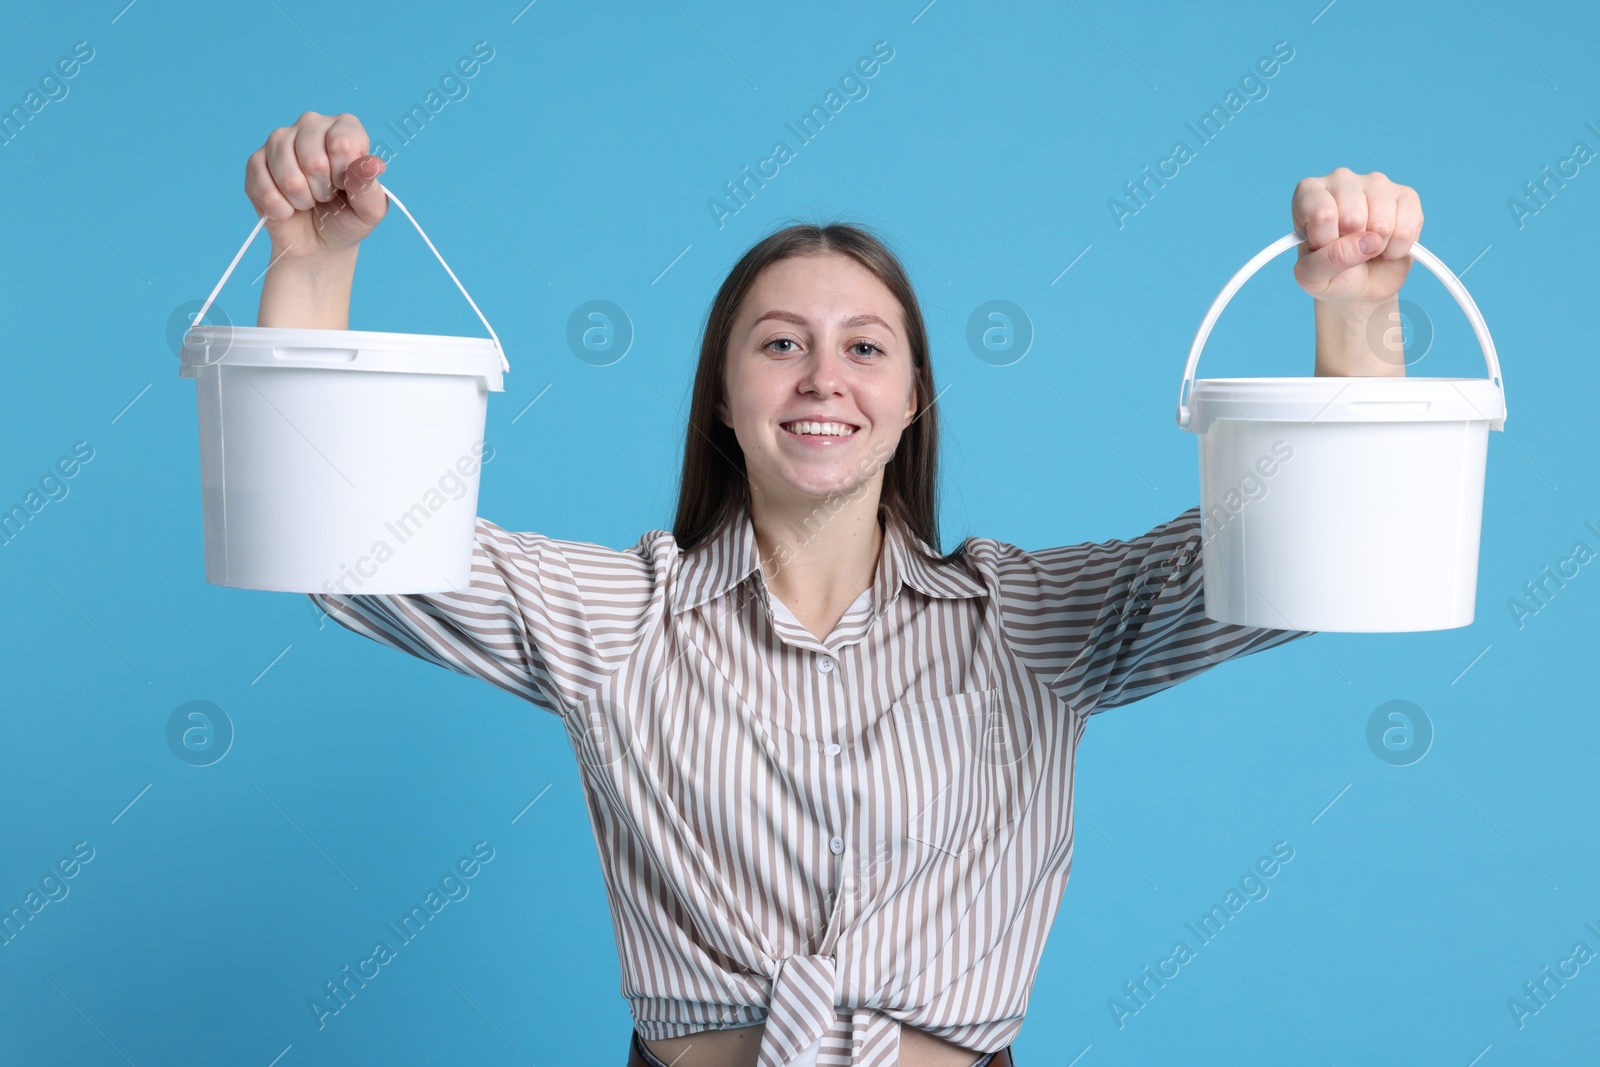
pixel 340 460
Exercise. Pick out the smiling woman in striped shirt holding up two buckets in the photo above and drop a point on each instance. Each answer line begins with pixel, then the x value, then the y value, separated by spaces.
pixel 830 770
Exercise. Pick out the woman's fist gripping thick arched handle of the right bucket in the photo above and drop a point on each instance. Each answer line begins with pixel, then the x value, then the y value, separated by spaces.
pixel 1359 233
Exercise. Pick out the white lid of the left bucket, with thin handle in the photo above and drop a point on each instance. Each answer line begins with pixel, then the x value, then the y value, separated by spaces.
pixel 342 350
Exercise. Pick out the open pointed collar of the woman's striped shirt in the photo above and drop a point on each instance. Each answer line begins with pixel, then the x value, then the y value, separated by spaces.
pixel 734 556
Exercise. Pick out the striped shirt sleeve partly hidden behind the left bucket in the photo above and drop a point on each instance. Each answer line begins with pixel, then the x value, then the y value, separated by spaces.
pixel 545 620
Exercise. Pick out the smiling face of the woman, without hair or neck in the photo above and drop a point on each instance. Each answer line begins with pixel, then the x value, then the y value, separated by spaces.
pixel 818 340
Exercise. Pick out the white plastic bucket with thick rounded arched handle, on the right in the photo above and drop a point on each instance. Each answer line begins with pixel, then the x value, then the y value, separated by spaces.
pixel 1350 505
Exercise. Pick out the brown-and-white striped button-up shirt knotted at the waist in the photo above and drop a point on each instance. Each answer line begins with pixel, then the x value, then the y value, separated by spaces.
pixel 836 836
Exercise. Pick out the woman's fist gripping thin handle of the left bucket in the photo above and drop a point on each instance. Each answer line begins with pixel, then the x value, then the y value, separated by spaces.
pixel 318 186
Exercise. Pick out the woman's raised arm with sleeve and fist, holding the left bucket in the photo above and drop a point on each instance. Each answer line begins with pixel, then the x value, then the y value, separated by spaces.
pixel 545 620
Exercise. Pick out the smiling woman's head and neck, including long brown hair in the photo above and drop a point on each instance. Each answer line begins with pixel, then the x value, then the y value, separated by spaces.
pixel 820 329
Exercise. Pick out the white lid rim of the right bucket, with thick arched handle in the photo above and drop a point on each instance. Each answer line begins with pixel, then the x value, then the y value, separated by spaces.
pixel 1332 399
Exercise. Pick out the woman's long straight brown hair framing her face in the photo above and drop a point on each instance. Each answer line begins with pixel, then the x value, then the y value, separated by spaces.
pixel 714 489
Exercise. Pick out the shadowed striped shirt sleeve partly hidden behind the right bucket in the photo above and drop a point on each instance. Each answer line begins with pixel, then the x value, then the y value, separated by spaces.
pixel 1111 623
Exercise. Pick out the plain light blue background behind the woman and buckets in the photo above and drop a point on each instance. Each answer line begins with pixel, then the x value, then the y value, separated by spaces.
pixel 578 169
